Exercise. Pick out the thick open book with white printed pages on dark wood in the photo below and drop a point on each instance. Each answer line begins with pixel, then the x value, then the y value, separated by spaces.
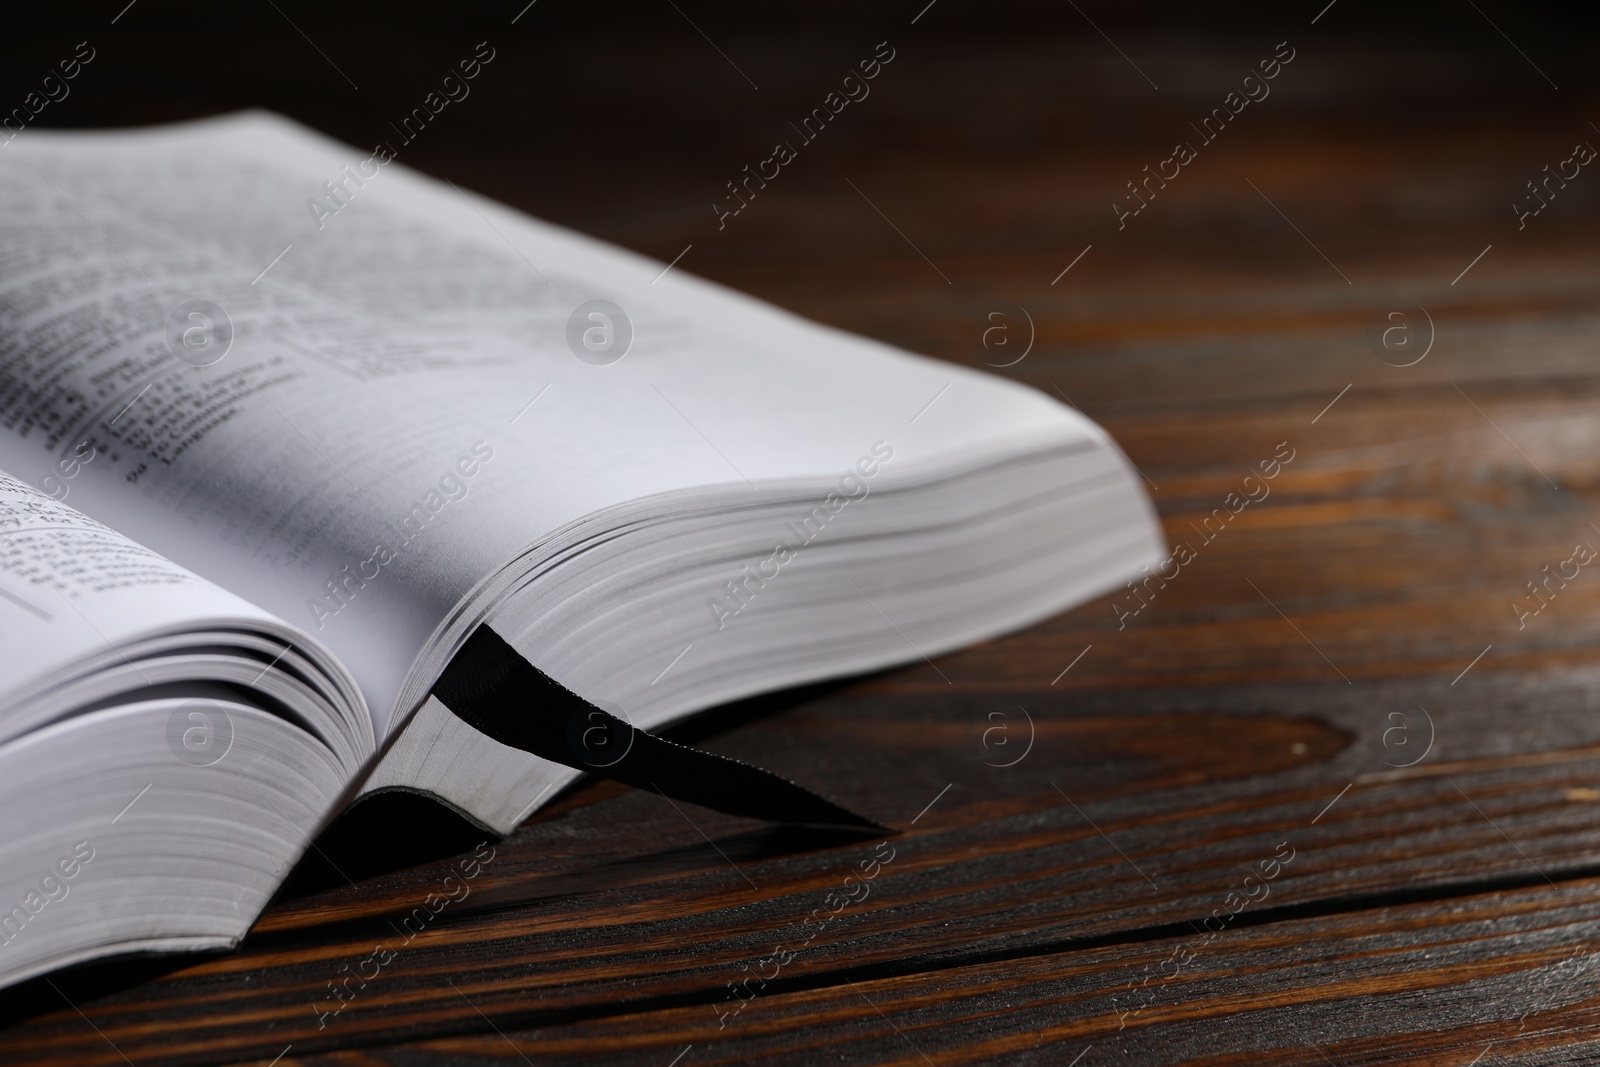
pixel 284 423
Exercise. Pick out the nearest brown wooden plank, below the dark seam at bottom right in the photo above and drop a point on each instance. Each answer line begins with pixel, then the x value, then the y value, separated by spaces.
pixel 1494 978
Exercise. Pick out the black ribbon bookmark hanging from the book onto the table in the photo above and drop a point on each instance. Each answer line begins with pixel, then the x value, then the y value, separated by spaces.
pixel 490 687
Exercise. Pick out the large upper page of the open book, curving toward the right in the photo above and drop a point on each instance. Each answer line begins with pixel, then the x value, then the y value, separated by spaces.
pixel 353 394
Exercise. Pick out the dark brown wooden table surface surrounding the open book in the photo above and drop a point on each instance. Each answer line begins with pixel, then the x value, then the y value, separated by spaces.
pixel 1265 705
